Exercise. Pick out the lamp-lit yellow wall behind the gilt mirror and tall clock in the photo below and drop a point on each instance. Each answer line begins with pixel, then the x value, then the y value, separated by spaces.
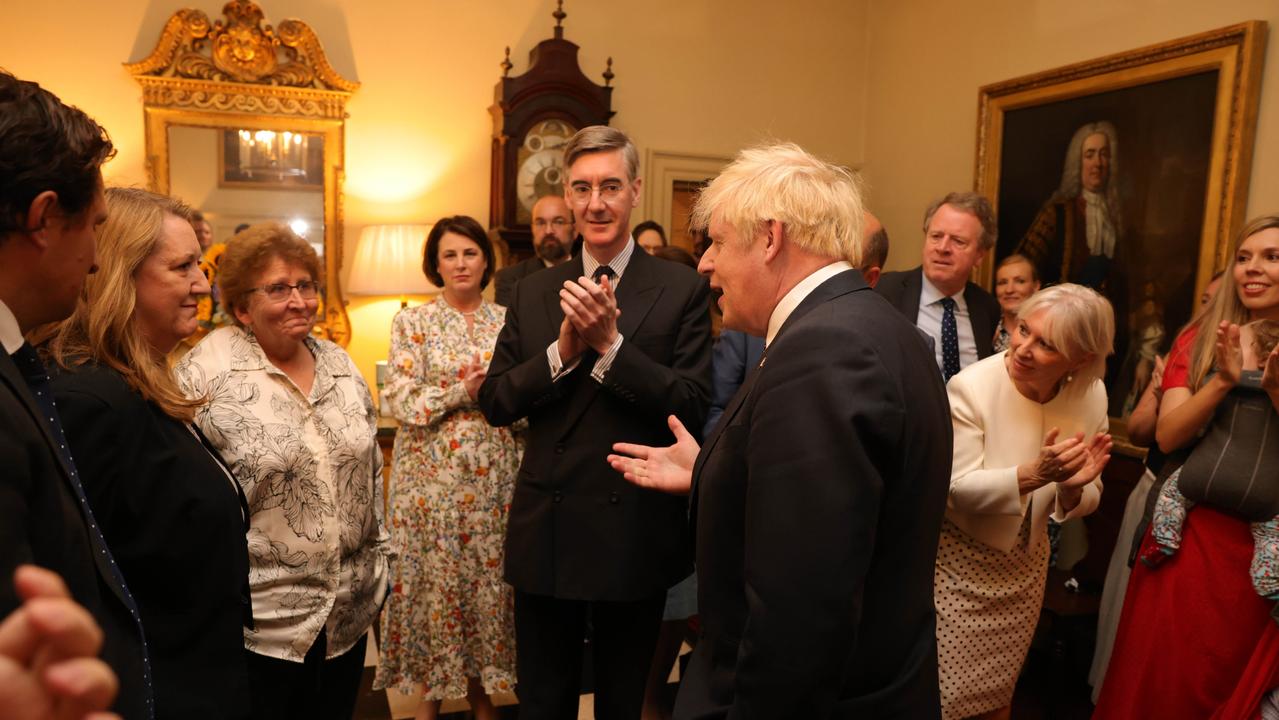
pixel 700 77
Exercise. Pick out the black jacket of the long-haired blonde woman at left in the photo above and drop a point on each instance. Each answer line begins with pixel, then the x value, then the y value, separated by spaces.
pixel 176 522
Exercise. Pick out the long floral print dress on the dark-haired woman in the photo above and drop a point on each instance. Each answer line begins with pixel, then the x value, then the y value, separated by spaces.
pixel 451 616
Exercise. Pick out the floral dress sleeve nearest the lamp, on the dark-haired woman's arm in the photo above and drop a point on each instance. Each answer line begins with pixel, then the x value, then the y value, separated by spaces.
pixel 415 395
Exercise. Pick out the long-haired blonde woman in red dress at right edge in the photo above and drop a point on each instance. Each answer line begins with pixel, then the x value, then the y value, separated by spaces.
pixel 1195 640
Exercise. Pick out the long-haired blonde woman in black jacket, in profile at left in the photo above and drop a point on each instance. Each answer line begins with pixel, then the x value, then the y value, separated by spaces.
pixel 169 510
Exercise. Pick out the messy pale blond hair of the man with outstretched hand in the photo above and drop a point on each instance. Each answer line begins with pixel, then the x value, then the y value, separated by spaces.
pixel 819 204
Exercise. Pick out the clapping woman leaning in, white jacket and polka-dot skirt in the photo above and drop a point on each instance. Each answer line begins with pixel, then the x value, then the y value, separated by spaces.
pixel 1030 443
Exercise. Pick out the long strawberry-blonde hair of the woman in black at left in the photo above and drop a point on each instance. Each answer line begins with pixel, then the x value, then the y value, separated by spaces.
pixel 103 327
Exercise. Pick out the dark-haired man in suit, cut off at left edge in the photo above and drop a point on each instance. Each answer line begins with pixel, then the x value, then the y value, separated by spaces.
pixel 51 207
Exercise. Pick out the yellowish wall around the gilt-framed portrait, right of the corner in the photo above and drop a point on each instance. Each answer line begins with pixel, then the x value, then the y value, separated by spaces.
pixel 928 58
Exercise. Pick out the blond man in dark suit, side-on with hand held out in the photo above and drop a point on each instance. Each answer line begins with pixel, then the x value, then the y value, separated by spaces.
pixel 818 499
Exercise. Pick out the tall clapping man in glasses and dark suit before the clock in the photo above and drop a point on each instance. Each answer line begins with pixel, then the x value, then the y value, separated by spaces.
pixel 600 348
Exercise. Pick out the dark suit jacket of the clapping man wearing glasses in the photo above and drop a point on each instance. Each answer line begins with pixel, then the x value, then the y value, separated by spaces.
pixel 577 530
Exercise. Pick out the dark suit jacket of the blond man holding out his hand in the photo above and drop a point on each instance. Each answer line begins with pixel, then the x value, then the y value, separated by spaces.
pixel 818 505
